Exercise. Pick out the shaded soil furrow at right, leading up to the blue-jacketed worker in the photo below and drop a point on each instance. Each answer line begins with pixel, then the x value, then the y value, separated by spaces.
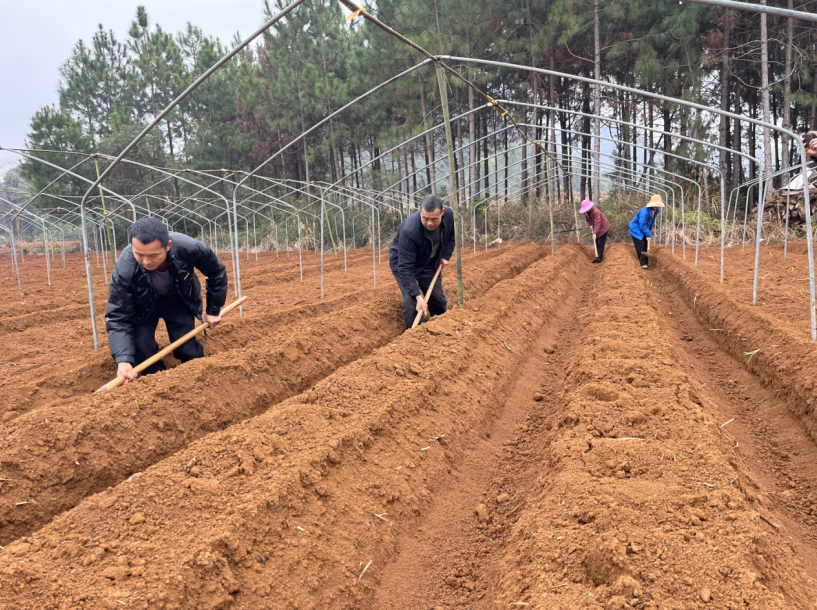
pixel 775 449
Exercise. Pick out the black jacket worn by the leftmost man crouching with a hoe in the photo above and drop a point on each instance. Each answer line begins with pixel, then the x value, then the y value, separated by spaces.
pixel 132 297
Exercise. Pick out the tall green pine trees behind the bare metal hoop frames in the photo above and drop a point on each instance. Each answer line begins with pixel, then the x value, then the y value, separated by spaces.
pixel 315 62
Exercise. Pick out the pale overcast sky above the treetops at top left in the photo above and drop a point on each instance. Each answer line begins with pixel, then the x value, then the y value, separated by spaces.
pixel 36 37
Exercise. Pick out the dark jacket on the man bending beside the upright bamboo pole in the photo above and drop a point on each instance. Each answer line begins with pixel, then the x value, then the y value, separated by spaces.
pixel 411 249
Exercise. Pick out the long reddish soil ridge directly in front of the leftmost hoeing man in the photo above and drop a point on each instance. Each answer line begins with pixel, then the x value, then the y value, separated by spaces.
pixel 50 459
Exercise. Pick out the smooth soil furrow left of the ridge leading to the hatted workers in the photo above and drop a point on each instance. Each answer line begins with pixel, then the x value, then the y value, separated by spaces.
pixel 454 554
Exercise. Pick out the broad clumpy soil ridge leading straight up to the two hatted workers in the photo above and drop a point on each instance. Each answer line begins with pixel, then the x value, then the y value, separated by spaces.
pixel 641 503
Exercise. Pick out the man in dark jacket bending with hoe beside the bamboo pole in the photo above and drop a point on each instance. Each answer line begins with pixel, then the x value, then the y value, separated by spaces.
pixel 424 241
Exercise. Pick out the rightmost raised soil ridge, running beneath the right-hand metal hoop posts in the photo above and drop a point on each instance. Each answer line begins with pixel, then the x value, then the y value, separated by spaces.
pixel 781 359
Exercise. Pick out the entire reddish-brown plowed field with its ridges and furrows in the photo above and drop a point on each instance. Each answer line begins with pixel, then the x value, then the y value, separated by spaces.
pixel 576 437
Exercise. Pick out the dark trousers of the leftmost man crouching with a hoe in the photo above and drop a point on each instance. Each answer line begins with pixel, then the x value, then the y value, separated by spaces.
pixel 179 321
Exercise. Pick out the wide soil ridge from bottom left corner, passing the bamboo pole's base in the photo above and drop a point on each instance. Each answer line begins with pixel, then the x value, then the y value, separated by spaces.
pixel 300 506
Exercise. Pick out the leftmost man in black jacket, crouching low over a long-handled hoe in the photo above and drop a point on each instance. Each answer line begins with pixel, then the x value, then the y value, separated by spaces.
pixel 154 279
